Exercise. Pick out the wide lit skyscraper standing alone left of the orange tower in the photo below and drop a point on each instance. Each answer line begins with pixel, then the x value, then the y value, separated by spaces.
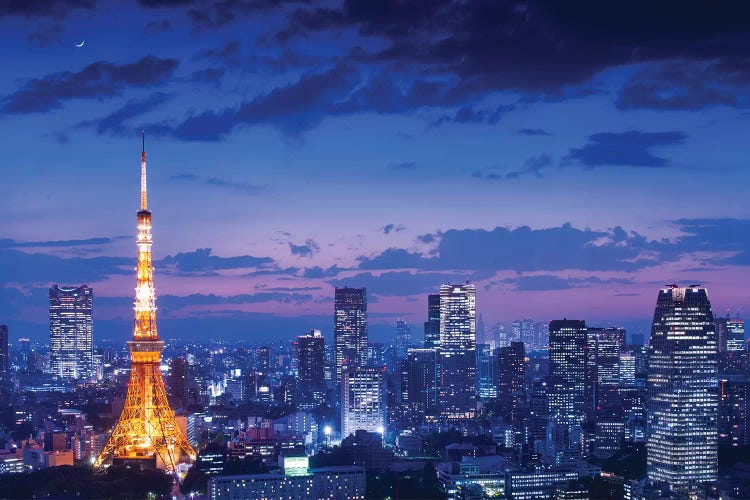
pixel 70 329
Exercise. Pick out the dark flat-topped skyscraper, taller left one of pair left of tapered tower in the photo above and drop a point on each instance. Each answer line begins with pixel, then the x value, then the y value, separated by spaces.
pixel 567 384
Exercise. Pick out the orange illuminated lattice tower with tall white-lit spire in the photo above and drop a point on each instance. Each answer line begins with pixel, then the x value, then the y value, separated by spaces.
pixel 146 430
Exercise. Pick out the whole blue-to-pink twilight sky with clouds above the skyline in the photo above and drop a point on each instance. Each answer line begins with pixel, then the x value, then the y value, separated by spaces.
pixel 570 158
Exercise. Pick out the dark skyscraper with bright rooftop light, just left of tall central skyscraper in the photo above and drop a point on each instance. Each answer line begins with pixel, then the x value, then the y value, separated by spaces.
pixel 311 369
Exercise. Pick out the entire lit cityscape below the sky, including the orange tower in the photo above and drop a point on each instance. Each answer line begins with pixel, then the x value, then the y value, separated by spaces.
pixel 525 410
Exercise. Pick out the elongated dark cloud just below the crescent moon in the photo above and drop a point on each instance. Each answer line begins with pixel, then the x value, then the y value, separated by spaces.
pixel 97 80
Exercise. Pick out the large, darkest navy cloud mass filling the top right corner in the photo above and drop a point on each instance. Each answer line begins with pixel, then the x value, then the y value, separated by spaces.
pixel 536 46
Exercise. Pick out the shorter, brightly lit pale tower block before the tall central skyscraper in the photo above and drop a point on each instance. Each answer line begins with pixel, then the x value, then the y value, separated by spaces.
pixel 363 400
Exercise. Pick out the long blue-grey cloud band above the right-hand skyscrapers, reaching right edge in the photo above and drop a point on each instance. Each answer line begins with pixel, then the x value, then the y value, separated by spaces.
pixel 563 248
